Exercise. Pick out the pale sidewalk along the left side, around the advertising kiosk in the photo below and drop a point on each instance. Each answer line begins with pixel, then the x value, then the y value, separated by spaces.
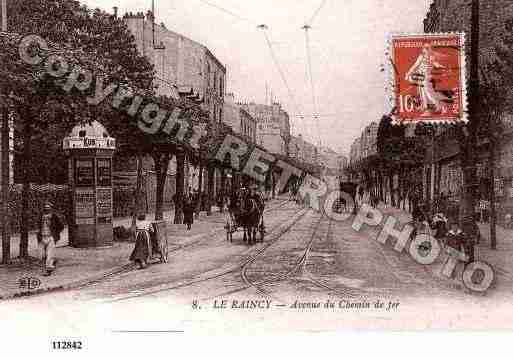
pixel 77 267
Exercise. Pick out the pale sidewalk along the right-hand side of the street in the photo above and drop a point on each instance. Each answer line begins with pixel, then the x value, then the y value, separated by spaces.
pixel 500 259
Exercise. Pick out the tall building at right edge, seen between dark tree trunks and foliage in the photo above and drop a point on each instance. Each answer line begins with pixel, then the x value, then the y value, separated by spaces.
pixel 443 173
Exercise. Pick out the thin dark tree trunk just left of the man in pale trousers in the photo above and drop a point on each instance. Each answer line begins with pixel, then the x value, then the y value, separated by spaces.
pixel 25 194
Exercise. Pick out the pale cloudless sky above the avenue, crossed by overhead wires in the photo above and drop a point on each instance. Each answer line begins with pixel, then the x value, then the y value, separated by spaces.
pixel 347 43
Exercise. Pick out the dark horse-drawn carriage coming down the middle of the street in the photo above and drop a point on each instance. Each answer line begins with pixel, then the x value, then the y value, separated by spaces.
pixel 246 212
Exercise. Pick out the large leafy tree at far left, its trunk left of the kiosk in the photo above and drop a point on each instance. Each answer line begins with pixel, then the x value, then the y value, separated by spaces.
pixel 98 41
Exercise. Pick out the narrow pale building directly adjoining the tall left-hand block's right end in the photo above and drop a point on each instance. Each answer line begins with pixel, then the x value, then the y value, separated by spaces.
pixel 239 119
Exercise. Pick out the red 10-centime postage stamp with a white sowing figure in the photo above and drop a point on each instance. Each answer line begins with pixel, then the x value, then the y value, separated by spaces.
pixel 428 78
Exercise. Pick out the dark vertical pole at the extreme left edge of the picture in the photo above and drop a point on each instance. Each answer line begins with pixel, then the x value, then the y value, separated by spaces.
pixel 5 168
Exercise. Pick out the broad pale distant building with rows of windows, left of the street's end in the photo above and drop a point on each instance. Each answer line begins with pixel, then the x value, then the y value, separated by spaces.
pixel 273 126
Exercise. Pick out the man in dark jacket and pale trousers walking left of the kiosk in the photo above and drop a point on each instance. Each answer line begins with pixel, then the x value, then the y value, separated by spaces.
pixel 50 228
